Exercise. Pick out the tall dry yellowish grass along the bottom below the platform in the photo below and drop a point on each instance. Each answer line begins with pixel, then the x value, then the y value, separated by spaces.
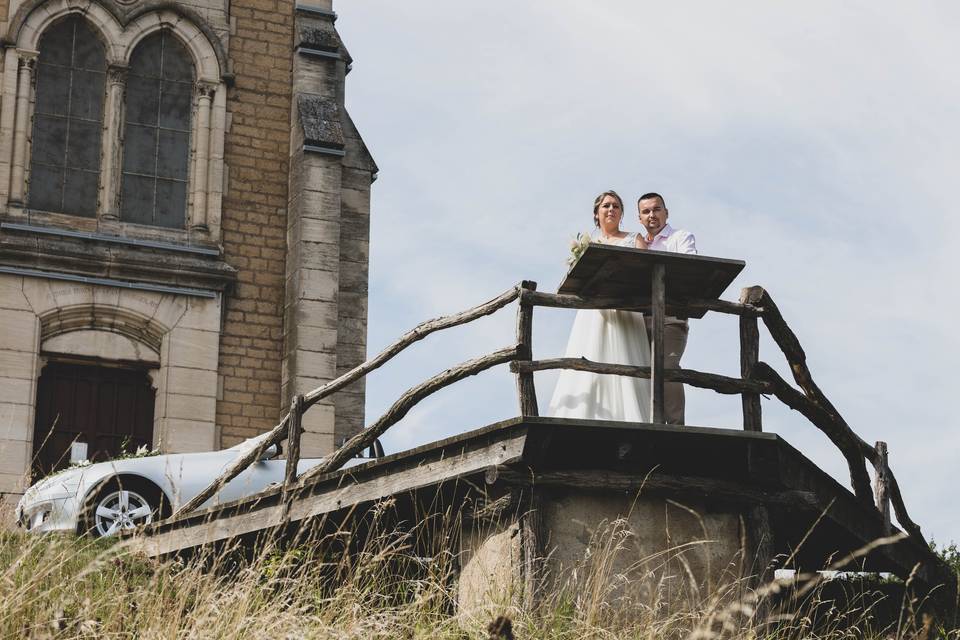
pixel 391 587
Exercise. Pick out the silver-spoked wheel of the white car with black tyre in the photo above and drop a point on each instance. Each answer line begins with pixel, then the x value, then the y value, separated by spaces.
pixel 118 506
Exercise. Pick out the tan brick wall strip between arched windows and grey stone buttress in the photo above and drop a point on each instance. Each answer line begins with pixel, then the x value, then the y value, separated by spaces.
pixel 255 216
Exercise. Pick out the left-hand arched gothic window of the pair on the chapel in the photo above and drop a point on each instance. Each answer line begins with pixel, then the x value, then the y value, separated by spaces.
pixel 68 120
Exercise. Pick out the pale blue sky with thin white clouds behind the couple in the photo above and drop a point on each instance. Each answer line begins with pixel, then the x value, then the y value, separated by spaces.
pixel 814 140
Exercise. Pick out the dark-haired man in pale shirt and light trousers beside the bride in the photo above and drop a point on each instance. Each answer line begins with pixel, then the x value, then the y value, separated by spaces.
pixel 661 236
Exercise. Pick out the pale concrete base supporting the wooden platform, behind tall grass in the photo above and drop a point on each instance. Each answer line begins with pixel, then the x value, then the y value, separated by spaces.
pixel 625 556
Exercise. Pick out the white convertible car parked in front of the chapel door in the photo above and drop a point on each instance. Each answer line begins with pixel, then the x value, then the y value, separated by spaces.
pixel 105 497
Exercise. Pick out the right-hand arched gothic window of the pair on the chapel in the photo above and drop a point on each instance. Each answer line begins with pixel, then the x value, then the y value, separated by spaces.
pixel 156 145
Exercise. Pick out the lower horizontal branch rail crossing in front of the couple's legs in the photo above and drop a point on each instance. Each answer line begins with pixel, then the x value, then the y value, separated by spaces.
pixel 718 383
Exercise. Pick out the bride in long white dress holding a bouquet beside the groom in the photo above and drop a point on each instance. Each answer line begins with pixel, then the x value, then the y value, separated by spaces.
pixel 606 335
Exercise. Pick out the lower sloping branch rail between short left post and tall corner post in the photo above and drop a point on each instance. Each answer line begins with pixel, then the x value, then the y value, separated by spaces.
pixel 400 408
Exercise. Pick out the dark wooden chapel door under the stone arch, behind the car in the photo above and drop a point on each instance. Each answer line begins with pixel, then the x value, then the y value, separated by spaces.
pixel 108 408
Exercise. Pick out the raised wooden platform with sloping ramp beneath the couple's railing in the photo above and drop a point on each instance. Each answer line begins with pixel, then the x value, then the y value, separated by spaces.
pixel 808 510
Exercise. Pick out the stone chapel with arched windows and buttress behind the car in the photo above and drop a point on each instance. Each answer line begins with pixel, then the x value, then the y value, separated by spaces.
pixel 184 227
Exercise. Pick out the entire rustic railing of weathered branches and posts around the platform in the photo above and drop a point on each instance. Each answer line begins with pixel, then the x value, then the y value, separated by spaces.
pixel 757 378
